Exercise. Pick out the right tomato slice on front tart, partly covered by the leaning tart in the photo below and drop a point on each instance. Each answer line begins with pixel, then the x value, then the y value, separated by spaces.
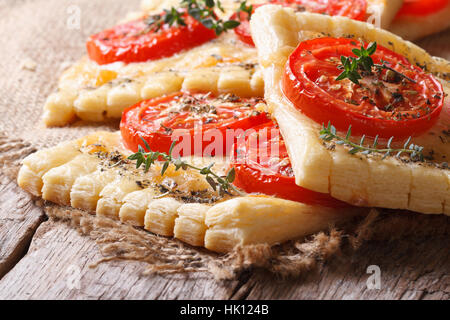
pixel 262 165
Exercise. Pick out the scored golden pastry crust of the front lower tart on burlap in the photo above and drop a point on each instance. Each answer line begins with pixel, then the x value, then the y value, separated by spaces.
pixel 93 174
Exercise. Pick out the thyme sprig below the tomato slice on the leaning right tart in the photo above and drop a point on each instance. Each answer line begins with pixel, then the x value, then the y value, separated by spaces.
pixel 329 133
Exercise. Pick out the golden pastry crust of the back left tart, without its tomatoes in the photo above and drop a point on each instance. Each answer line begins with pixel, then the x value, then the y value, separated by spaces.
pixel 94 92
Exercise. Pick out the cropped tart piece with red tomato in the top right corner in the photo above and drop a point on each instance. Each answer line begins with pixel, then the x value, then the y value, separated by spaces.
pixel 419 18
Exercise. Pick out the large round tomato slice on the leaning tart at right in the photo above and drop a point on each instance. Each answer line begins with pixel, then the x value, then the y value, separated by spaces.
pixel 384 103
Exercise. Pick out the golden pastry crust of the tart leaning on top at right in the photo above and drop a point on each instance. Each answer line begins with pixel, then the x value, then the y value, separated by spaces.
pixel 357 179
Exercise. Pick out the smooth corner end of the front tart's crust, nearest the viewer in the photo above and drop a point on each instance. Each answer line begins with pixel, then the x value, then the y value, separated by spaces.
pixel 266 220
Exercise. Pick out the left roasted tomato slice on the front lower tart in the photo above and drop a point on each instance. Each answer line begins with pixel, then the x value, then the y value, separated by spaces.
pixel 201 118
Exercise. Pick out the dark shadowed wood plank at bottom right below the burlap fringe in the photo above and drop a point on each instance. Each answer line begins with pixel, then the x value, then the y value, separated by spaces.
pixel 410 269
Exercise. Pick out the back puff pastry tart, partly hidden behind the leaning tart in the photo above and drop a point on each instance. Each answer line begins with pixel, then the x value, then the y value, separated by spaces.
pixel 167 49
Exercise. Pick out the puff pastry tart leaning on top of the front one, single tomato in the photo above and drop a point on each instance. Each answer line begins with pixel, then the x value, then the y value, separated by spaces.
pixel 365 115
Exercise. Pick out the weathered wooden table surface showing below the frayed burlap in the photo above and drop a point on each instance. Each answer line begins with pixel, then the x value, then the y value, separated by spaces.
pixel 43 259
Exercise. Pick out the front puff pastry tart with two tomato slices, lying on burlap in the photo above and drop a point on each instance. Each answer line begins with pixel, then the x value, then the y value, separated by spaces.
pixel 206 197
